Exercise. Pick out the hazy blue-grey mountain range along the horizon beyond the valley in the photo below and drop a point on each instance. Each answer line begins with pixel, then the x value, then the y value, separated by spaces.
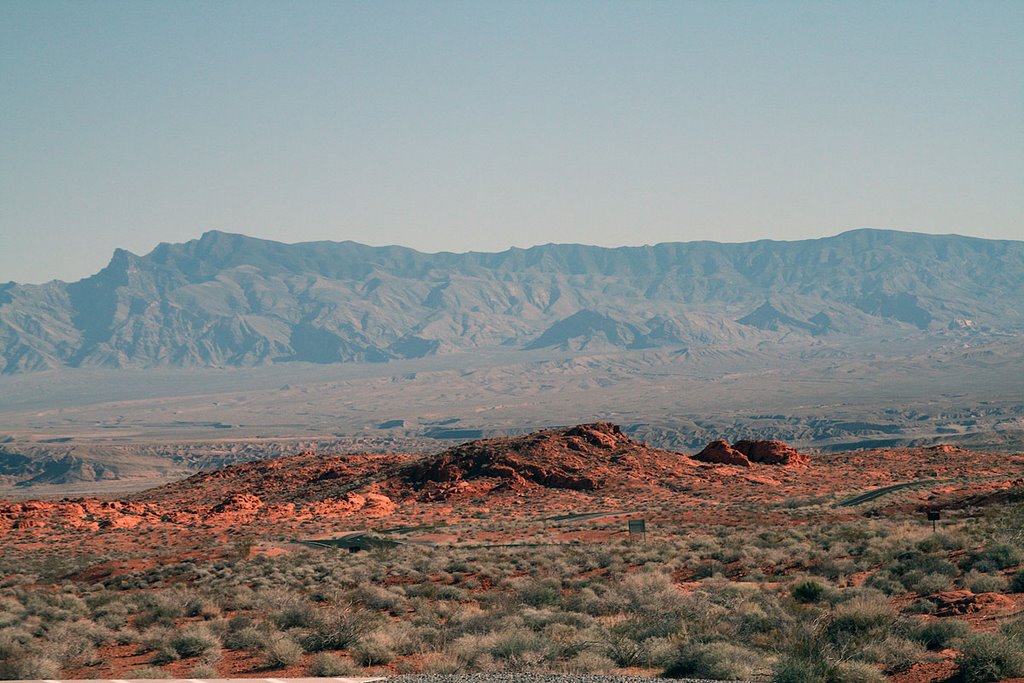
pixel 230 301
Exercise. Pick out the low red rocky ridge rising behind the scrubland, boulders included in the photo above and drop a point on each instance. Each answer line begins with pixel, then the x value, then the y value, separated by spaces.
pixel 585 459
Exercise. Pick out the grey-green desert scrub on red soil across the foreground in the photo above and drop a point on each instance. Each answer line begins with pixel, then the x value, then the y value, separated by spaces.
pixel 841 602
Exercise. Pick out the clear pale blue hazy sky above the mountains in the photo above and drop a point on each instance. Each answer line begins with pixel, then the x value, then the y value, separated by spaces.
pixel 482 125
